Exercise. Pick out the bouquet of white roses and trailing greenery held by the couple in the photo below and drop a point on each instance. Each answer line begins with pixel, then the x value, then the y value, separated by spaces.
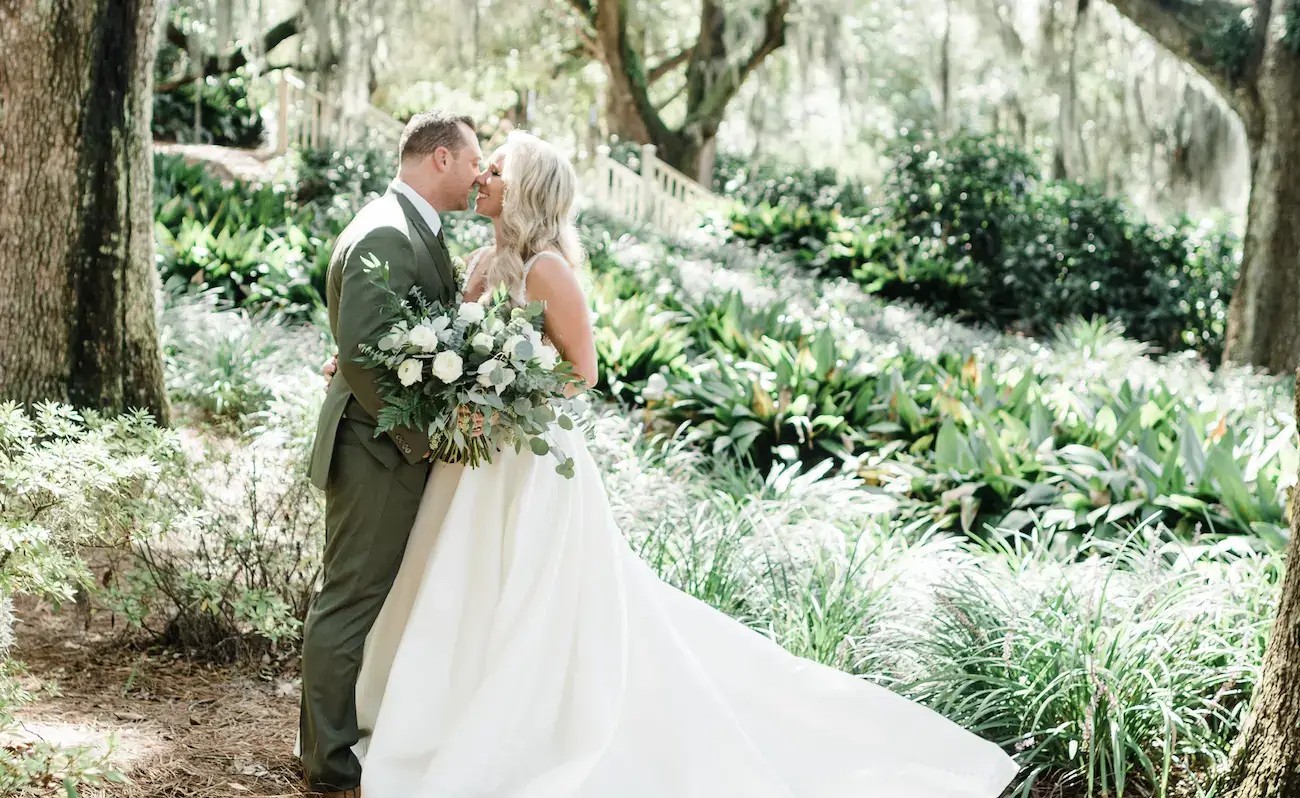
pixel 476 376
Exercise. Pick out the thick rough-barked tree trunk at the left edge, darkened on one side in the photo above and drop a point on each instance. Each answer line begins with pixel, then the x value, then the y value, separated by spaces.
pixel 79 288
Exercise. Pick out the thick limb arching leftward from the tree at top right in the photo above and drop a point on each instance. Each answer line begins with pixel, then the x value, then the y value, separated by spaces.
pixel 1188 31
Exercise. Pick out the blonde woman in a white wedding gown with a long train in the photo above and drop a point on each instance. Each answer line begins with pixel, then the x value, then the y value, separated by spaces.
pixel 526 652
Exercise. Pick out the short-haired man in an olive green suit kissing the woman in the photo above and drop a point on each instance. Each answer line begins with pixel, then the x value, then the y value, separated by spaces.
pixel 372 484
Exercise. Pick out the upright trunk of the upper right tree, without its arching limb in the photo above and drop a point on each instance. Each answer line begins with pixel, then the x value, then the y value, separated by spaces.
pixel 1264 316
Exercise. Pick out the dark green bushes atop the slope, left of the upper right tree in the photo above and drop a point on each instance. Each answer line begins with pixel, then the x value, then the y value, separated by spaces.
pixel 969 228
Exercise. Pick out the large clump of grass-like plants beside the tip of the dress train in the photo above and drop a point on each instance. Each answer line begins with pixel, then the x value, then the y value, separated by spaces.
pixel 1128 673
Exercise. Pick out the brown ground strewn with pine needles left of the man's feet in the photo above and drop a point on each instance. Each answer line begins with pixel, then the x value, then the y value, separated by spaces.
pixel 175 728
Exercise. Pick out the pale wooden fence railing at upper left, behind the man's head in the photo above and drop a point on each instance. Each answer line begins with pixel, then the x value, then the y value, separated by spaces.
pixel 305 118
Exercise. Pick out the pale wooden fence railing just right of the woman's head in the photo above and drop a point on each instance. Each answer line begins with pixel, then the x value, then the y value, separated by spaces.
pixel 658 196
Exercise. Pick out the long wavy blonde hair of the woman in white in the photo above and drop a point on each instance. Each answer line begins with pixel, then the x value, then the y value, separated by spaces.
pixel 538 210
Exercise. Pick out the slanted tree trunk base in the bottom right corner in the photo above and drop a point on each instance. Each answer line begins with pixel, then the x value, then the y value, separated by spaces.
pixel 1267 757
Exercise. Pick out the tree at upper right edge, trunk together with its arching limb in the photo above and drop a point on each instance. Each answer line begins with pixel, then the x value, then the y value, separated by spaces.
pixel 1253 57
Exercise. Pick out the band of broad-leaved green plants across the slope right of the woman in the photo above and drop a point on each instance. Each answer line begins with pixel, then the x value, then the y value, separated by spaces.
pixel 1087 435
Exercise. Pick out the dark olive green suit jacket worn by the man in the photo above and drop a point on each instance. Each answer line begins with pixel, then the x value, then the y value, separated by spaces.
pixel 392 231
